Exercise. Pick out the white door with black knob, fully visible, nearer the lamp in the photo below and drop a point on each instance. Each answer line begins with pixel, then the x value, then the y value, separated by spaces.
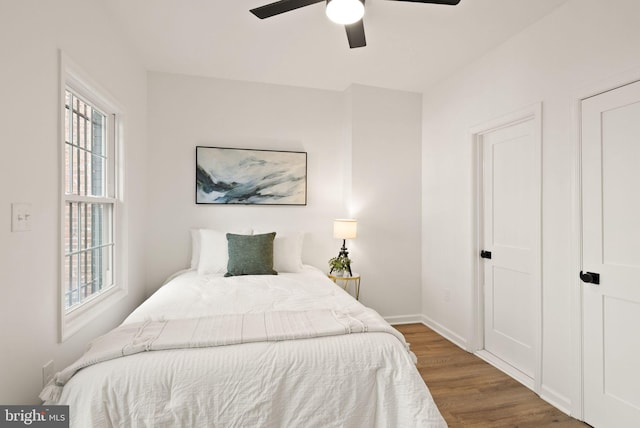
pixel 511 285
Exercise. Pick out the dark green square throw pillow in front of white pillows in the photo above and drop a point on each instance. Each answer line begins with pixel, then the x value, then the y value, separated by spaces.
pixel 250 254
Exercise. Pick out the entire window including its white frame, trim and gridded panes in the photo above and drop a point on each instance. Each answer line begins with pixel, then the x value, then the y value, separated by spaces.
pixel 89 203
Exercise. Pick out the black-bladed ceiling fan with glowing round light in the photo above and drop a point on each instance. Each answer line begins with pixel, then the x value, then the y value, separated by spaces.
pixel 346 12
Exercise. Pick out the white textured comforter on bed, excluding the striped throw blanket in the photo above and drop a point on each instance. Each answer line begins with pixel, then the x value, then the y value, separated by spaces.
pixel 354 380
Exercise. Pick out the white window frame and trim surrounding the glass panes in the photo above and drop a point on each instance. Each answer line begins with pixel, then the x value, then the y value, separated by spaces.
pixel 73 319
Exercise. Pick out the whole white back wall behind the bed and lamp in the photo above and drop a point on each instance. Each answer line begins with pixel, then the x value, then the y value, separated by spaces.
pixel 188 111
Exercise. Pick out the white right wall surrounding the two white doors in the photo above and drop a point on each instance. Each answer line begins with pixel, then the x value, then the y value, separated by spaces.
pixel 578 45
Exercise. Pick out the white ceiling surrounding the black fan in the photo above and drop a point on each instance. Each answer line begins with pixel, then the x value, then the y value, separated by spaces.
pixel 410 46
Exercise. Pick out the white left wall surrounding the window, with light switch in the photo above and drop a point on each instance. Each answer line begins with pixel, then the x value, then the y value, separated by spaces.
pixel 31 32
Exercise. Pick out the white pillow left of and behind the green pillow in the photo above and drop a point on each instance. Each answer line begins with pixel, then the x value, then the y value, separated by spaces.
pixel 210 251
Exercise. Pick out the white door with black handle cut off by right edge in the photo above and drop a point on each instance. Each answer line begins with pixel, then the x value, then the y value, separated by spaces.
pixel 611 248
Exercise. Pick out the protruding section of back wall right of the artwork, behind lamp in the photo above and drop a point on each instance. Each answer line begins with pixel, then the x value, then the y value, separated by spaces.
pixel 385 197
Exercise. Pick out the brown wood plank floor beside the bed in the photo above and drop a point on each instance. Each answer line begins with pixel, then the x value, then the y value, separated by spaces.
pixel 472 393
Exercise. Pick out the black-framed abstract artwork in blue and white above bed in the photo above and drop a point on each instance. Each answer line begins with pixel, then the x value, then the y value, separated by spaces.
pixel 250 177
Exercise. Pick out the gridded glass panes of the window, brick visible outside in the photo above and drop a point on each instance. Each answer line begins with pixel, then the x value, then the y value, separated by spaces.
pixel 89 203
